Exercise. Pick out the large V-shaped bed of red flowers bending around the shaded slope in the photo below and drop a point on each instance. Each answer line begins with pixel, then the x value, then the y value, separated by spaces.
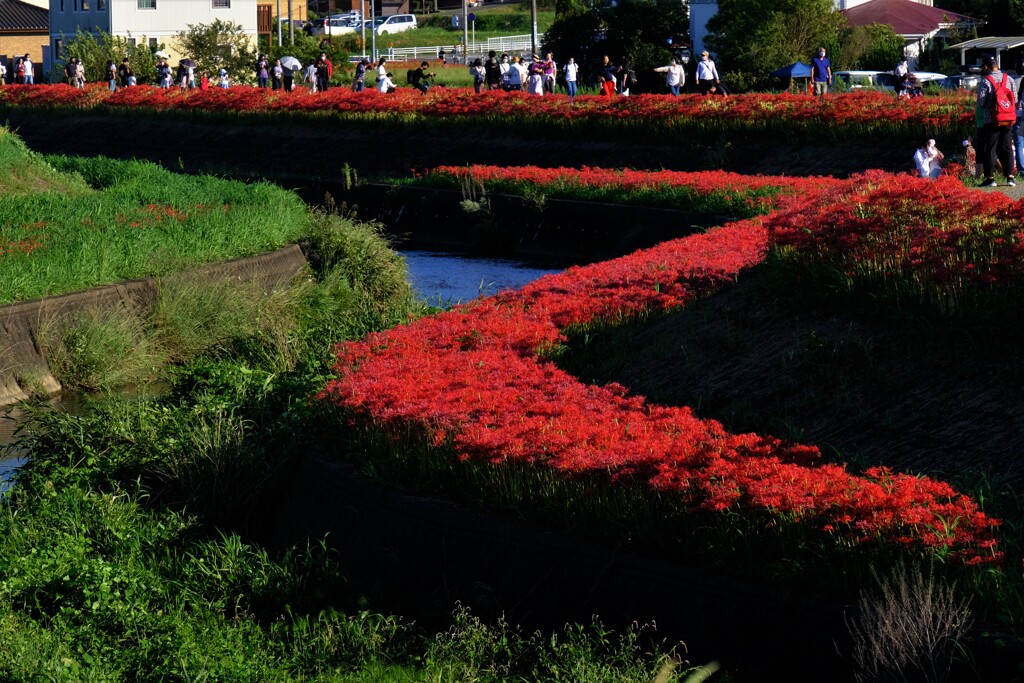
pixel 476 379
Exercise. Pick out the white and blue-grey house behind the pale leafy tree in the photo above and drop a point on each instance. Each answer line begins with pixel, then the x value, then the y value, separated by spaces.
pixel 150 23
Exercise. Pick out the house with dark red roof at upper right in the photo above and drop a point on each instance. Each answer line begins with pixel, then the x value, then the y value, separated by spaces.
pixel 917 22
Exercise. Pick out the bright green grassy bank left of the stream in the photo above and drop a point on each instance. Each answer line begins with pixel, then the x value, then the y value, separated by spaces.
pixel 98 222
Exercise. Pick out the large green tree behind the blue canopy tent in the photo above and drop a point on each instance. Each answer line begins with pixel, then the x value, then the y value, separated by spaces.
pixel 752 39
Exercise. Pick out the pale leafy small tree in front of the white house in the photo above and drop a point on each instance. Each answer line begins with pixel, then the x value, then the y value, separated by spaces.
pixel 221 46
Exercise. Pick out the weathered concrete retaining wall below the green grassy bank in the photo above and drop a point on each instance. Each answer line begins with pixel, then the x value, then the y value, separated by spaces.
pixel 23 362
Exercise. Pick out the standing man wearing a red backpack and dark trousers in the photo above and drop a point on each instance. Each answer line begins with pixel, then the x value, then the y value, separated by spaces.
pixel 997 110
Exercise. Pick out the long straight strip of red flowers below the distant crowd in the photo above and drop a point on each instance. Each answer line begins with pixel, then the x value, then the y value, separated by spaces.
pixel 861 113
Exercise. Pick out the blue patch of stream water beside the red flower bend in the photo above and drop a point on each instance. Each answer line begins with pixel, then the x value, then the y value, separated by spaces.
pixel 445 280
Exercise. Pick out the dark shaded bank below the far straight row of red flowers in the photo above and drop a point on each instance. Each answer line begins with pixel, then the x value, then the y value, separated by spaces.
pixel 293 153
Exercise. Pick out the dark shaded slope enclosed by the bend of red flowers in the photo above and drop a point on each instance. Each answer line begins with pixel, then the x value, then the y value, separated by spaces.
pixel 869 390
